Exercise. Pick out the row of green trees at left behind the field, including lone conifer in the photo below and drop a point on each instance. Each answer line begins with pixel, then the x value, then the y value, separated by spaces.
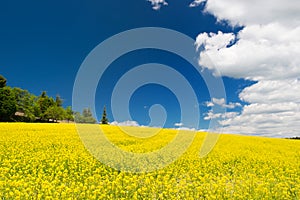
pixel 17 104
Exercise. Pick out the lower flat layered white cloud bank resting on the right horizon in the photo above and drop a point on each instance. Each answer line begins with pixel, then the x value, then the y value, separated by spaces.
pixel 274 110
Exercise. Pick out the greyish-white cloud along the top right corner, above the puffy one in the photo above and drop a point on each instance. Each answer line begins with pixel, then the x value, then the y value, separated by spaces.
pixel 245 12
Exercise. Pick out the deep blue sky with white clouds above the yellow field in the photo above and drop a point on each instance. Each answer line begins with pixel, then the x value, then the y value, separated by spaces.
pixel 43 44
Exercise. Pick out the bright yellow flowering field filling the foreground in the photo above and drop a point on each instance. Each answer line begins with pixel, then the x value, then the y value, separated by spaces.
pixel 46 161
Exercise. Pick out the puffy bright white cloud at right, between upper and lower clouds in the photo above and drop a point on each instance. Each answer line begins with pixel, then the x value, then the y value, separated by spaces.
pixel 268 52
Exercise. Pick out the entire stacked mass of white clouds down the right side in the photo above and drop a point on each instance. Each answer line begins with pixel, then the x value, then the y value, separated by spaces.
pixel 266 50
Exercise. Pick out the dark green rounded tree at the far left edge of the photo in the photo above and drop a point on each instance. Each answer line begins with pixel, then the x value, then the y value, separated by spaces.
pixel 8 103
